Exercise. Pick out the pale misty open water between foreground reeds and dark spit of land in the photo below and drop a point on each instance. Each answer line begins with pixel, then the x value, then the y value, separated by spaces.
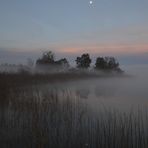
pixel 123 93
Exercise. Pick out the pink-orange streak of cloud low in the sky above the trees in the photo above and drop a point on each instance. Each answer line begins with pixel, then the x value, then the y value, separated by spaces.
pixel 114 48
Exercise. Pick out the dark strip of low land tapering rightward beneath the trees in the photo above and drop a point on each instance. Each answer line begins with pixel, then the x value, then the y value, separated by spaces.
pixel 24 78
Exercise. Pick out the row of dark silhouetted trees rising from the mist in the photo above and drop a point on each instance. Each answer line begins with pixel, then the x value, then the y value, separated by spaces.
pixel 82 62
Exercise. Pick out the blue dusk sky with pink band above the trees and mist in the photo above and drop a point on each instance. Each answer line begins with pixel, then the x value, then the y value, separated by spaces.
pixel 72 27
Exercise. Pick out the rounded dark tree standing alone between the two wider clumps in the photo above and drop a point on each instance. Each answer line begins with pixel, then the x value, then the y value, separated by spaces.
pixel 83 61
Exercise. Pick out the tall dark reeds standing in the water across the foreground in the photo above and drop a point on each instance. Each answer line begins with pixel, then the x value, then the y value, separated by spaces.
pixel 35 117
